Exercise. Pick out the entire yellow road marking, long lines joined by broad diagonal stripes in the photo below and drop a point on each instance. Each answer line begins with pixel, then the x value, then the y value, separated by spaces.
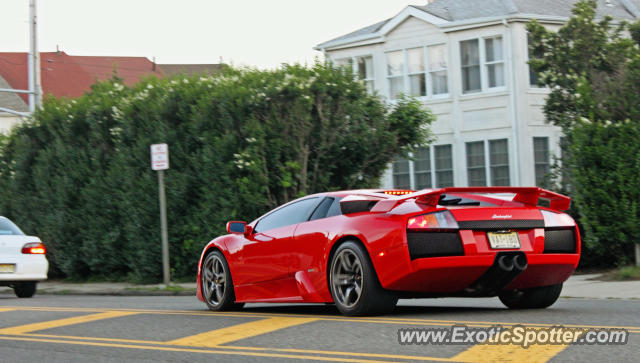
pixel 211 342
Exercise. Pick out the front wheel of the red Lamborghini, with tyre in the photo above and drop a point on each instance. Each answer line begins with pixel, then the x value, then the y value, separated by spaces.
pixel 216 283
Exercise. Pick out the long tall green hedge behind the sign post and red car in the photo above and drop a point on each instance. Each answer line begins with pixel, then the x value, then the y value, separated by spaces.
pixel 241 142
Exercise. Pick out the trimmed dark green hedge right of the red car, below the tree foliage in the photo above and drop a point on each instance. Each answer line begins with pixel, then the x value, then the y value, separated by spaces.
pixel 606 160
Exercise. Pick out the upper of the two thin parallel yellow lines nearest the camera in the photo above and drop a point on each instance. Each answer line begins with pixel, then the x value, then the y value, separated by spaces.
pixel 261 349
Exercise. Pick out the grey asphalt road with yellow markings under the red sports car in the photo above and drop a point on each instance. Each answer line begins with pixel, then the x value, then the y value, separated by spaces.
pixel 56 328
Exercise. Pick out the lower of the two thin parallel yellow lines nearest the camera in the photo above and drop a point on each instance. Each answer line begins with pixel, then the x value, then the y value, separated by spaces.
pixel 192 350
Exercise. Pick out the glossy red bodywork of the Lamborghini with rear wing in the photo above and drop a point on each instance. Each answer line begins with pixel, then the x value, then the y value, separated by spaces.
pixel 289 264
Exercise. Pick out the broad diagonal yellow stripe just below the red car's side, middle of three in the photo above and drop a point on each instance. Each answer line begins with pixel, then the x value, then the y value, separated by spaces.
pixel 241 331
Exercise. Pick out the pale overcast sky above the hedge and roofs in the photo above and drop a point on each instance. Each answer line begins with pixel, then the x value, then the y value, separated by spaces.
pixel 254 33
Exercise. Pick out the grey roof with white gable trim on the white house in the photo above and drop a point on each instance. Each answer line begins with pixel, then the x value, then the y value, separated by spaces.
pixel 451 12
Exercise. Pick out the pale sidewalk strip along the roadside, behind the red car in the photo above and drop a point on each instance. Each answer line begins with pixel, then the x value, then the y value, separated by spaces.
pixel 578 286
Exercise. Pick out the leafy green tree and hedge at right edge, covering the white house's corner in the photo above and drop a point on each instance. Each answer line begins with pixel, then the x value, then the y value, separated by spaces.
pixel 593 70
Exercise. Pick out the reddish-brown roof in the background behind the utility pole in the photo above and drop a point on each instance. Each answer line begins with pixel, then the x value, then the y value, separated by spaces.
pixel 63 75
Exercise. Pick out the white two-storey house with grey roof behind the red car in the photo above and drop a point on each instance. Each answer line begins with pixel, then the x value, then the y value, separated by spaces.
pixel 466 60
